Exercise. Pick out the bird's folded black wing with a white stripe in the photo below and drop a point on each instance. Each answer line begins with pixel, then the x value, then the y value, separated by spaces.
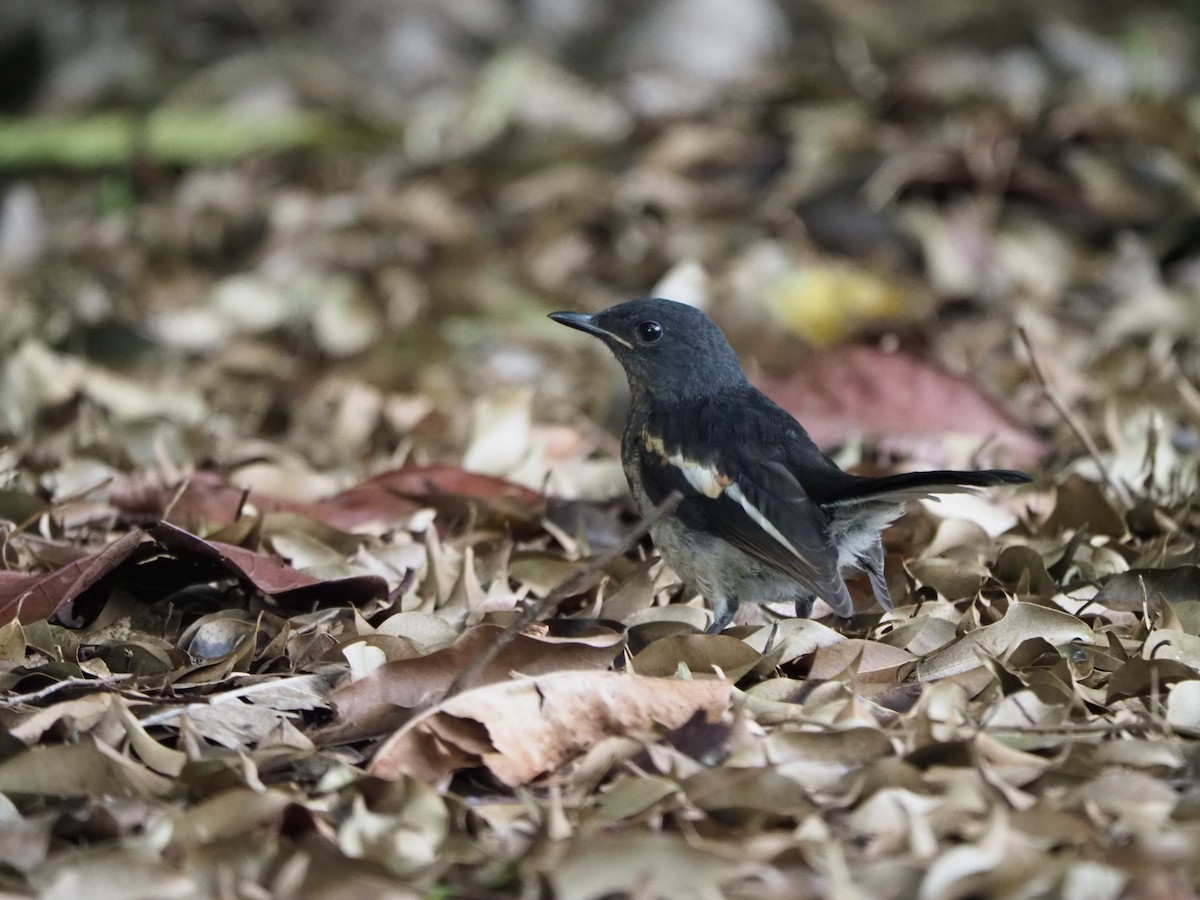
pixel 758 507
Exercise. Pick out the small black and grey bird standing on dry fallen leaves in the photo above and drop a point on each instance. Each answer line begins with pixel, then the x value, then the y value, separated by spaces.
pixel 761 514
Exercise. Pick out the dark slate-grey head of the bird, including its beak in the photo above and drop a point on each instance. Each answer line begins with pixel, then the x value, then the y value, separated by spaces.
pixel 668 350
